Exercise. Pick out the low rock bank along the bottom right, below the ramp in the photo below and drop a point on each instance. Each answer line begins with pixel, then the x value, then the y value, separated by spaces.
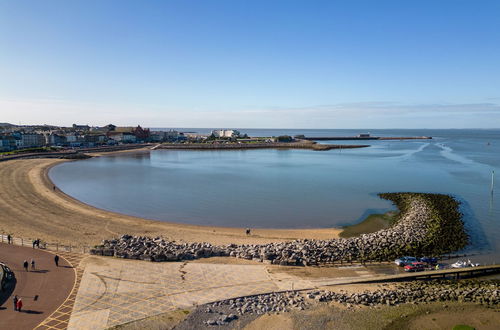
pixel 419 292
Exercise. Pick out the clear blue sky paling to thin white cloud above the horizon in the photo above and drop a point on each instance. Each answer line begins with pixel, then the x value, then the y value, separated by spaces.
pixel 251 64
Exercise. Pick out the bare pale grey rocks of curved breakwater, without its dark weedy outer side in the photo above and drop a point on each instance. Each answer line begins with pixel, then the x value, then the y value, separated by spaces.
pixel 410 230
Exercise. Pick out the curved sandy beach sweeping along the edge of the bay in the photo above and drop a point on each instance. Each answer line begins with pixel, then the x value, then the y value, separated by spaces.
pixel 30 208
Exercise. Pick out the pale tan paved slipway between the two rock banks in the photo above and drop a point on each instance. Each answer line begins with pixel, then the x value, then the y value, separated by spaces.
pixel 116 291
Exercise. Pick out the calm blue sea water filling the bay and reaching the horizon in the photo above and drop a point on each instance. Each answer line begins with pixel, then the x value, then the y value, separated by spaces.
pixel 296 188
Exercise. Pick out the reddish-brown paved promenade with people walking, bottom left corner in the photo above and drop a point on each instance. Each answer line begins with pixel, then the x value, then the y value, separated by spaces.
pixel 50 283
